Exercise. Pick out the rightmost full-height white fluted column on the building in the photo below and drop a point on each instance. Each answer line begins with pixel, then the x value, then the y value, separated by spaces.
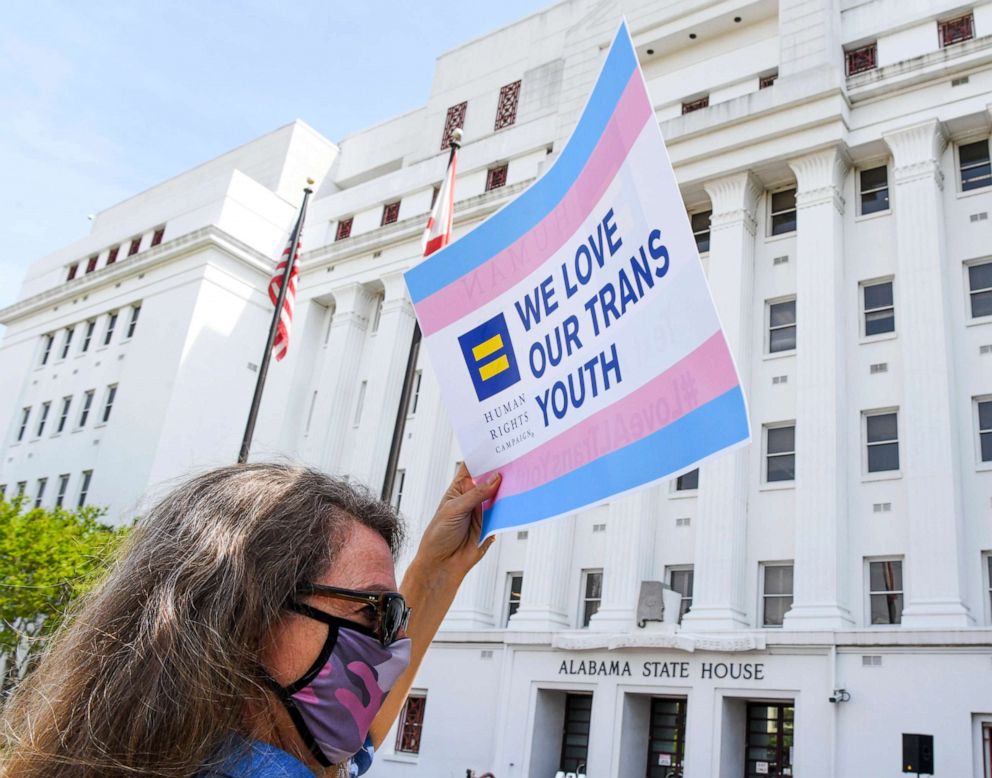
pixel 928 450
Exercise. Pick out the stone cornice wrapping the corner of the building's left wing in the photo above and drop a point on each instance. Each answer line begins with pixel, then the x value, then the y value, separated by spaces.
pixel 177 248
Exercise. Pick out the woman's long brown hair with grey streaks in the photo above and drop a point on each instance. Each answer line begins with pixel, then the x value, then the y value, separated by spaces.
pixel 161 661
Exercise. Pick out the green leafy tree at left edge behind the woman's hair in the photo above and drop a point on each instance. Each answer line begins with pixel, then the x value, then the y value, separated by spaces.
pixel 47 559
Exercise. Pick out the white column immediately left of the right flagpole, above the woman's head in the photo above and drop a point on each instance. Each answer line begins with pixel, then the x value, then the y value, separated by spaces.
pixel 390 352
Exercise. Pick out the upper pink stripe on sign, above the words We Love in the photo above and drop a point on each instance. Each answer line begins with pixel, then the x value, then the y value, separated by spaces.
pixel 507 268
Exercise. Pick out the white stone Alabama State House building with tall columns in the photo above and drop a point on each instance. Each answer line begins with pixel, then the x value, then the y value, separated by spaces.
pixel 834 157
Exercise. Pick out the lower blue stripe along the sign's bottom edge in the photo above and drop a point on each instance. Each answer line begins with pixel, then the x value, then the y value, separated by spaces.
pixel 711 427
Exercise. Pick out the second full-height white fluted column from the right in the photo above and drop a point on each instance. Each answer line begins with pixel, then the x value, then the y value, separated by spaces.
pixel 820 594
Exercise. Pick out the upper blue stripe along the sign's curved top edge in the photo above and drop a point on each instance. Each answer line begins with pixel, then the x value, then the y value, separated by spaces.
pixel 524 213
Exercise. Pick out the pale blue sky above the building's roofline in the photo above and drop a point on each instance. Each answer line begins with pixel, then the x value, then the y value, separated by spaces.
pixel 104 99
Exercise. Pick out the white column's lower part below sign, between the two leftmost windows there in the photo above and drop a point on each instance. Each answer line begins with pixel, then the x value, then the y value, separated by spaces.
pixel 544 602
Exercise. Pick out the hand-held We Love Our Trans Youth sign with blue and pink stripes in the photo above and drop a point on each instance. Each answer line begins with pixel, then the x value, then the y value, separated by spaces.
pixel 573 334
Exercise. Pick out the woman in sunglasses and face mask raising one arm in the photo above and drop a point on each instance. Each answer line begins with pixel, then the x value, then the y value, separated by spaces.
pixel 251 627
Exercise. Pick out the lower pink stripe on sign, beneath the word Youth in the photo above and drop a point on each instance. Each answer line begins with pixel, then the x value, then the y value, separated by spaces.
pixel 690 383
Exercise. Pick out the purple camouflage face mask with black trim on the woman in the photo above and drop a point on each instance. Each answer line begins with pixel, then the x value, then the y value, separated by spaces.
pixel 334 709
